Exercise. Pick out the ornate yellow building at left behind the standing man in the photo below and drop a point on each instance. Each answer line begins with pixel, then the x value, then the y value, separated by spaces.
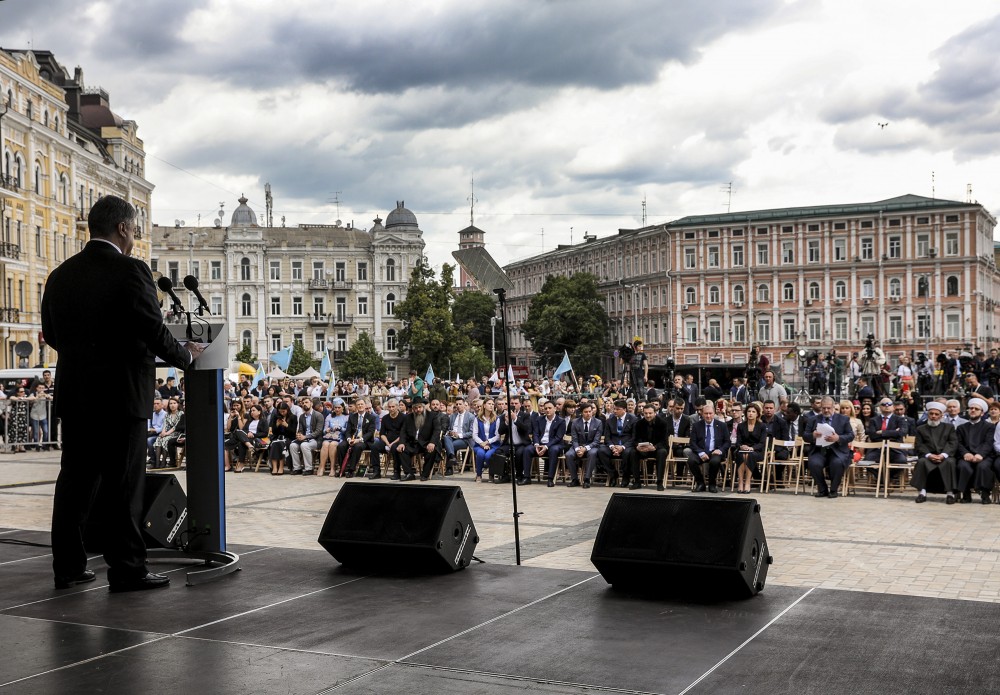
pixel 61 148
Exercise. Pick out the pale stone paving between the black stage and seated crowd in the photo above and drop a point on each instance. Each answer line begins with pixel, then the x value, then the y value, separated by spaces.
pixel 859 543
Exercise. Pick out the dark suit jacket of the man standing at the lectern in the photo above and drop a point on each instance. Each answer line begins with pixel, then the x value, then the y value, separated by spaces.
pixel 100 312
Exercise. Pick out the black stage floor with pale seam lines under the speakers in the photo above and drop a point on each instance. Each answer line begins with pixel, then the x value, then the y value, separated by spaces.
pixel 292 621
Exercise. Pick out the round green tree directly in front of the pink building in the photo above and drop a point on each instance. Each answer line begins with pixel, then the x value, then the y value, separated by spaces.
pixel 568 314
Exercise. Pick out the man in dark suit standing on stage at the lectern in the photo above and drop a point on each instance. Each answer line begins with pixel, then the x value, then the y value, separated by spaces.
pixel 100 312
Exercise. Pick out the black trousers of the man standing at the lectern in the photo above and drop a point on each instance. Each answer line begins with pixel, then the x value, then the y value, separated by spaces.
pixel 114 472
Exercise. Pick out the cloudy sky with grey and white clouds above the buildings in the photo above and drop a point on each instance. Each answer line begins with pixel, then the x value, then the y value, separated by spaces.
pixel 568 113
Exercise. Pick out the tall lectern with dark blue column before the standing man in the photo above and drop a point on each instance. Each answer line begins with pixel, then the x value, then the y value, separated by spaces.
pixel 204 527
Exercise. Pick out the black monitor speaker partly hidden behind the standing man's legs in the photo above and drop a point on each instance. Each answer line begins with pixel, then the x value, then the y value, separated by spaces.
pixel 164 515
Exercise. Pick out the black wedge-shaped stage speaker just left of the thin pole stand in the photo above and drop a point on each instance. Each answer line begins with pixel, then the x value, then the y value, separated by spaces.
pixel 400 528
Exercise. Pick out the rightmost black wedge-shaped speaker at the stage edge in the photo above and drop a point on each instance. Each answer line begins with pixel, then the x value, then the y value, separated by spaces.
pixel 699 547
